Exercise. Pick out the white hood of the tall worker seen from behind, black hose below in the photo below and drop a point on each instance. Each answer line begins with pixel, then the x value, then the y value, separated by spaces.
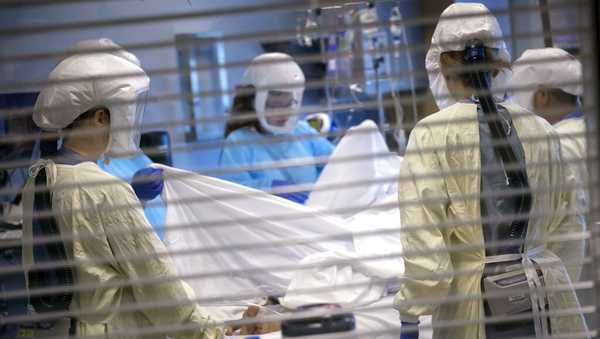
pixel 451 34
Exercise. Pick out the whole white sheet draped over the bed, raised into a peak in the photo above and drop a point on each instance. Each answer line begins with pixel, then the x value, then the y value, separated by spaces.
pixel 365 203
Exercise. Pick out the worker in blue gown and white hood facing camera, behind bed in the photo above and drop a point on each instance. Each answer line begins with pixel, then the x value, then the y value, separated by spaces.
pixel 263 144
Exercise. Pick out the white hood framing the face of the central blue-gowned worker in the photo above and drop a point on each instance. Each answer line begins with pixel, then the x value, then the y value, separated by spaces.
pixel 275 72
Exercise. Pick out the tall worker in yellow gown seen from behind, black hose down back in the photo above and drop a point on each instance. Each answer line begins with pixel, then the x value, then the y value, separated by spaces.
pixel 458 210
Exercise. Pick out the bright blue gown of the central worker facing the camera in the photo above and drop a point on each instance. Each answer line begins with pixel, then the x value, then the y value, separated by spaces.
pixel 247 147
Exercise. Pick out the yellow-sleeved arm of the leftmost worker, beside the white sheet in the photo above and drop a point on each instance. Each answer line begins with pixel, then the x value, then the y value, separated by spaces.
pixel 136 258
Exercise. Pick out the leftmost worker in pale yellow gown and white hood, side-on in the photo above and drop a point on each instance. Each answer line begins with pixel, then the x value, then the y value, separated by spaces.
pixel 96 100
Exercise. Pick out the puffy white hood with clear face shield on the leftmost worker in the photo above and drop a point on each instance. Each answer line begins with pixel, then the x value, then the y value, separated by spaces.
pixel 113 79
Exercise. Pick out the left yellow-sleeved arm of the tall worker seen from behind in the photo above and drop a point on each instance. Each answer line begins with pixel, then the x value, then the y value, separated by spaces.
pixel 423 205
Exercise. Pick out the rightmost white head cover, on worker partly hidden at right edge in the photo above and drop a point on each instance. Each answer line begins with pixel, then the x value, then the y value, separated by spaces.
pixel 549 67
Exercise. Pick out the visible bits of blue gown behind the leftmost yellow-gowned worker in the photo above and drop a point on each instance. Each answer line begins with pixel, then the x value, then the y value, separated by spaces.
pixel 124 168
